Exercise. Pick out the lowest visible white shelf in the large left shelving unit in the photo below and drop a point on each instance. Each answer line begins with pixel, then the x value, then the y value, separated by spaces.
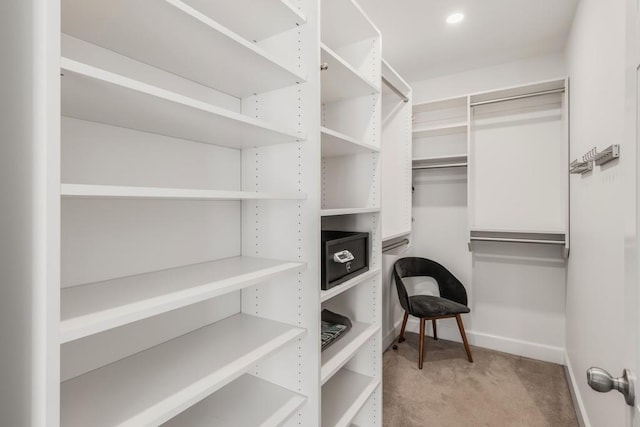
pixel 246 402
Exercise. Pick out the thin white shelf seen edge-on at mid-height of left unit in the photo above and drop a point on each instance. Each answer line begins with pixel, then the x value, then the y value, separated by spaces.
pixel 126 192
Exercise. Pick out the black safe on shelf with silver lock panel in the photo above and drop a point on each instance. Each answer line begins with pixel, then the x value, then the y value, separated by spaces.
pixel 345 254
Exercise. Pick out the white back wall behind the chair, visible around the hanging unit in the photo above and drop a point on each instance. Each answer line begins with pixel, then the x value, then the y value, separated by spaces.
pixel 516 292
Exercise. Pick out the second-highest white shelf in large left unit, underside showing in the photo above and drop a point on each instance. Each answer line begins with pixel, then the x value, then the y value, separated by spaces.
pixel 194 46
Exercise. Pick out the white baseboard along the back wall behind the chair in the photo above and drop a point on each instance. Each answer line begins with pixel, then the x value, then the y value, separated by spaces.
pixel 529 349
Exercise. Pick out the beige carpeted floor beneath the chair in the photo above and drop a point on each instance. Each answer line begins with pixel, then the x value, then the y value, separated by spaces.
pixel 496 390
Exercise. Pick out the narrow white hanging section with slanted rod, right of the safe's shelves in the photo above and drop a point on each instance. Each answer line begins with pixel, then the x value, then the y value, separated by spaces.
pixel 396 155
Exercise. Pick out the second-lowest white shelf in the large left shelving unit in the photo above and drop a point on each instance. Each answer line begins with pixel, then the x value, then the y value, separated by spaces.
pixel 153 386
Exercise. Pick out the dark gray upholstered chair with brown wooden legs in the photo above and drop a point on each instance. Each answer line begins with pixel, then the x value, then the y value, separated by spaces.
pixel 452 301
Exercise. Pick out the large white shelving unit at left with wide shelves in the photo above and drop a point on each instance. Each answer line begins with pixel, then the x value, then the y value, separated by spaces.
pixel 190 219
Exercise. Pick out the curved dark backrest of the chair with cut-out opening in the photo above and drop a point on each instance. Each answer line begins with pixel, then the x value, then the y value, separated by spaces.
pixel 450 287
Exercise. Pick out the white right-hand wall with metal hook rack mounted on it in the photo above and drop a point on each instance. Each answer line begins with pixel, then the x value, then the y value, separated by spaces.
pixel 595 280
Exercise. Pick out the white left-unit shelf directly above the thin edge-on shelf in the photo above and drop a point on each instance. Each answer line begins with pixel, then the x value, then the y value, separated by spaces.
pixel 92 94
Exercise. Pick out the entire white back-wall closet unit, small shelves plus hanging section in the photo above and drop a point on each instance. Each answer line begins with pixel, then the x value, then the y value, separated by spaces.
pixel 513 146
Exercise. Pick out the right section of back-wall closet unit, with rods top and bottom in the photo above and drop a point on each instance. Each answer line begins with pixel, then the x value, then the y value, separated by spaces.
pixel 518 175
